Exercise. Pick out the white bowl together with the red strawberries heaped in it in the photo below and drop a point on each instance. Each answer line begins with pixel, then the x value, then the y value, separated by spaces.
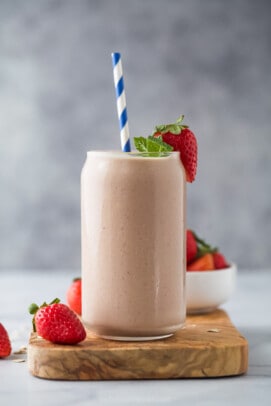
pixel 210 278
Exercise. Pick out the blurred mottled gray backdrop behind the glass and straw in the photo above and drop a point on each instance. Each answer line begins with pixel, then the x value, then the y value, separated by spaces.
pixel 210 60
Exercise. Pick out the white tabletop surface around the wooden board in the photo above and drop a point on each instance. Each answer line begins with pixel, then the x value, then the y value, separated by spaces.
pixel 249 309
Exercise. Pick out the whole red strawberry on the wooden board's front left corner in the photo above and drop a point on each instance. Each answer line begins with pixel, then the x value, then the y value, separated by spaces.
pixel 57 323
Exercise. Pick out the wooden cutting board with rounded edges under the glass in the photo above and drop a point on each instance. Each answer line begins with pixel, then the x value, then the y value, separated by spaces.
pixel 208 346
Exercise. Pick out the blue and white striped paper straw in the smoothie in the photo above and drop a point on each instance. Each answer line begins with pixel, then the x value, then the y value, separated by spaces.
pixel 121 102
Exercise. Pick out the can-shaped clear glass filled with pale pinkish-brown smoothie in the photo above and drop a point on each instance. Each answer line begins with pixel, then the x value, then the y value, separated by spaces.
pixel 133 212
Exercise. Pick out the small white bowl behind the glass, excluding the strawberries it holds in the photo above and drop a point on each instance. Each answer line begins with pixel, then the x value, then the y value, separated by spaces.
pixel 206 290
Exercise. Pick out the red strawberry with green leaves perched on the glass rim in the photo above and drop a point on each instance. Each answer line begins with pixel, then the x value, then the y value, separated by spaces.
pixel 181 139
